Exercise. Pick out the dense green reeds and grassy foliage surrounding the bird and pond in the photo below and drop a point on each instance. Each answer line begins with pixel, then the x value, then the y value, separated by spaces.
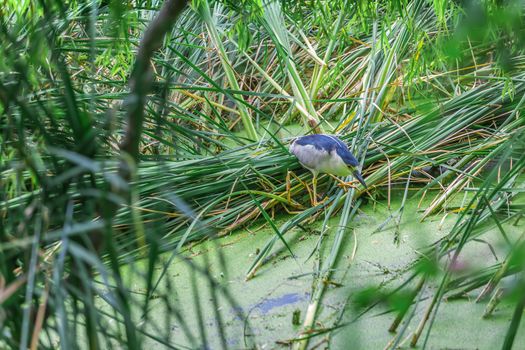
pixel 411 85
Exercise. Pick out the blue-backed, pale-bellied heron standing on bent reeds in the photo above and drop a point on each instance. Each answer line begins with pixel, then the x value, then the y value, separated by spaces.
pixel 328 154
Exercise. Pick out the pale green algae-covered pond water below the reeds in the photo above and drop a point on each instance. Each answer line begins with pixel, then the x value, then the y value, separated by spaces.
pixel 269 309
